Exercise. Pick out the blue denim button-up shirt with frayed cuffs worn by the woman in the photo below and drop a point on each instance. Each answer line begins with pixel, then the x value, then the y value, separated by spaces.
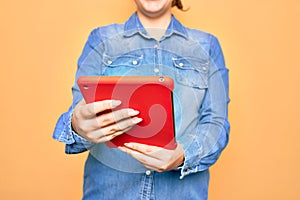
pixel 194 60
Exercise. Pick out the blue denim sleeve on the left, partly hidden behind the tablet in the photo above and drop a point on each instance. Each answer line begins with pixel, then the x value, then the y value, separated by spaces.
pixel 89 64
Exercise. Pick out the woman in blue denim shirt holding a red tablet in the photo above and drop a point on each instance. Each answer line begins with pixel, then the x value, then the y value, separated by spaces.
pixel 151 42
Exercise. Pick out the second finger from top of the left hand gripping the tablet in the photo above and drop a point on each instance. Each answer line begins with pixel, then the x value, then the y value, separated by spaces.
pixel 115 116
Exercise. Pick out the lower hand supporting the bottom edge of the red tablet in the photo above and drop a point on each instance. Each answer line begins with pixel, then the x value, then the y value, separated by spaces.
pixel 155 158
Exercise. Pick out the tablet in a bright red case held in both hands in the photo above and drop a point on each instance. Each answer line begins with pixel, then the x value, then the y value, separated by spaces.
pixel 152 96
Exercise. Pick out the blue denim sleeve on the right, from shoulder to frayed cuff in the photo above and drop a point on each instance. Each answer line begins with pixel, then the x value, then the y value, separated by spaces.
pixel 212 133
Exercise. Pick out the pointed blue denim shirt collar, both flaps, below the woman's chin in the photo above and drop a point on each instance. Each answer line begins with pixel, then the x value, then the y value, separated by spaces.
pixel 133 25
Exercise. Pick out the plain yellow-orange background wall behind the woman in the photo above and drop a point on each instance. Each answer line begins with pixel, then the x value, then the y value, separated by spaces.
pixel 41 41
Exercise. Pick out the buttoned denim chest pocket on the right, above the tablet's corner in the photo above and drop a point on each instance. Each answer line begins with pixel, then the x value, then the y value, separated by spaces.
pixel 191 72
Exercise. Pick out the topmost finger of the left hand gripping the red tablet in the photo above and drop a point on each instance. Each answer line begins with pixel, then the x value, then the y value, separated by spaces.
pixel 92 109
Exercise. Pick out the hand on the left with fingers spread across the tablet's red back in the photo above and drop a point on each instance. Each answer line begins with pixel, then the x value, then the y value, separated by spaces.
pixel 94 122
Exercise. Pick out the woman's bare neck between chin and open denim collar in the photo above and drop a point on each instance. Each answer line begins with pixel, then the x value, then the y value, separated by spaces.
pixel 155 22
